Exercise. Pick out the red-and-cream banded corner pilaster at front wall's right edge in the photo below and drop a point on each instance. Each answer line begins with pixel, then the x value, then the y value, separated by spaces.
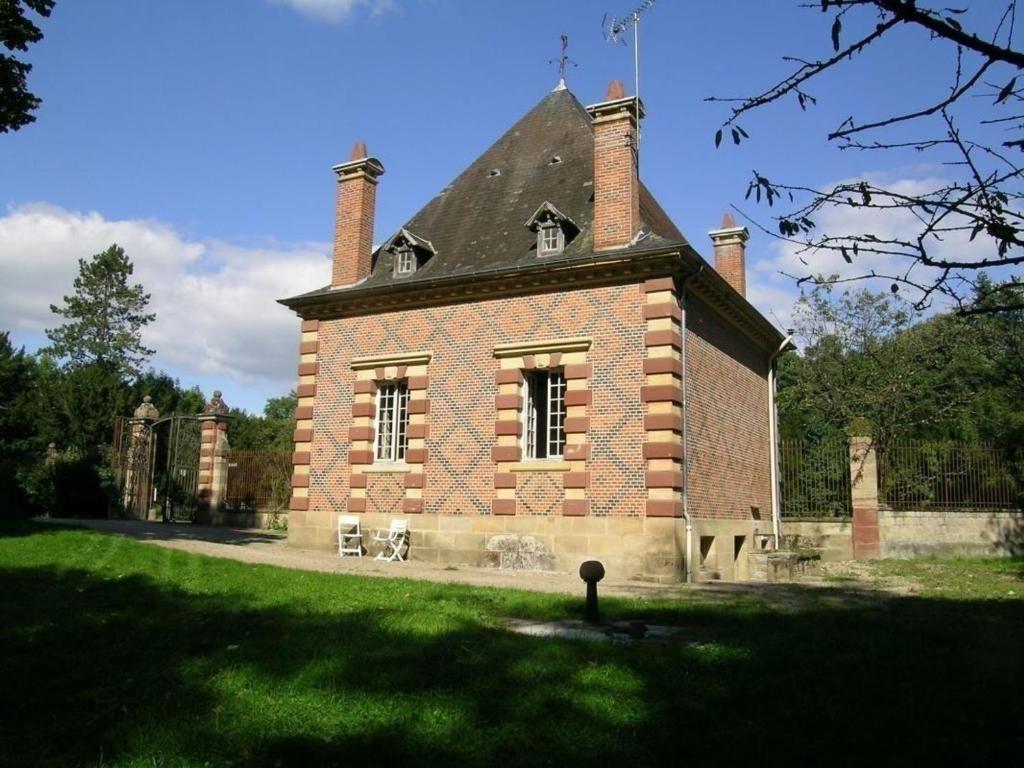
pixel 663 398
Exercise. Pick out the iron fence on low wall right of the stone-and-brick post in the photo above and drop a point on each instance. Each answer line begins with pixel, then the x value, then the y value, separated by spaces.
pixel 951 477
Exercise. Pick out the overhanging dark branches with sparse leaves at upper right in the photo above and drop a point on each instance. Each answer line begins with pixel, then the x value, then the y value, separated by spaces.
pixel 974 131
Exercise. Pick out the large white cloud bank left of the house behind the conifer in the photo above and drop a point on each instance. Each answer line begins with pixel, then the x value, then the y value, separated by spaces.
pixel 216 303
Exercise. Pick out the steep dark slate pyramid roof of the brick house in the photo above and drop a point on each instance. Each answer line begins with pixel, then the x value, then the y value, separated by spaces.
pixel 477 224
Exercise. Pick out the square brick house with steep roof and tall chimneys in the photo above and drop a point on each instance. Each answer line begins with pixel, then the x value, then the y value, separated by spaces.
pixel 539 353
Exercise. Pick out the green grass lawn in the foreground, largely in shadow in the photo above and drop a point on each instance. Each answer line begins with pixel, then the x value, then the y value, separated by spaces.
pixel 114 653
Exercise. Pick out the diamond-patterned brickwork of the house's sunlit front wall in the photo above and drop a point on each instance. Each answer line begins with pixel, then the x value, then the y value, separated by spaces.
pixel 458 467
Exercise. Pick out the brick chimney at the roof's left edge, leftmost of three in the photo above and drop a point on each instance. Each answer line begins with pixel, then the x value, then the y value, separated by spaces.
pixel 354 224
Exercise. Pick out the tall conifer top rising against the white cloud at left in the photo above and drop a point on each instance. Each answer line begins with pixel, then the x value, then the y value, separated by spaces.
pixel 105 317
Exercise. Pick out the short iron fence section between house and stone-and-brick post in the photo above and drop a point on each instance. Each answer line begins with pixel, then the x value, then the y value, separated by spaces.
pixel 815 479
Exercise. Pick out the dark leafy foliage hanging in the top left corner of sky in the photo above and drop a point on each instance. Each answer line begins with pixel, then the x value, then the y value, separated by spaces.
pixel 17 32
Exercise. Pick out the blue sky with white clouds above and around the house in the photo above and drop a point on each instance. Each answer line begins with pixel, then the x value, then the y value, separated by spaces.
pixel 202 135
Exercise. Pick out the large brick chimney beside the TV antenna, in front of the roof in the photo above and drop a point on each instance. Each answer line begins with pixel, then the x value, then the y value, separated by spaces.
pixel 617 187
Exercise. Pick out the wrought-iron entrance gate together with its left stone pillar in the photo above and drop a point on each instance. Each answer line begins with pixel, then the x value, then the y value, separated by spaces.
pixel 157 466
